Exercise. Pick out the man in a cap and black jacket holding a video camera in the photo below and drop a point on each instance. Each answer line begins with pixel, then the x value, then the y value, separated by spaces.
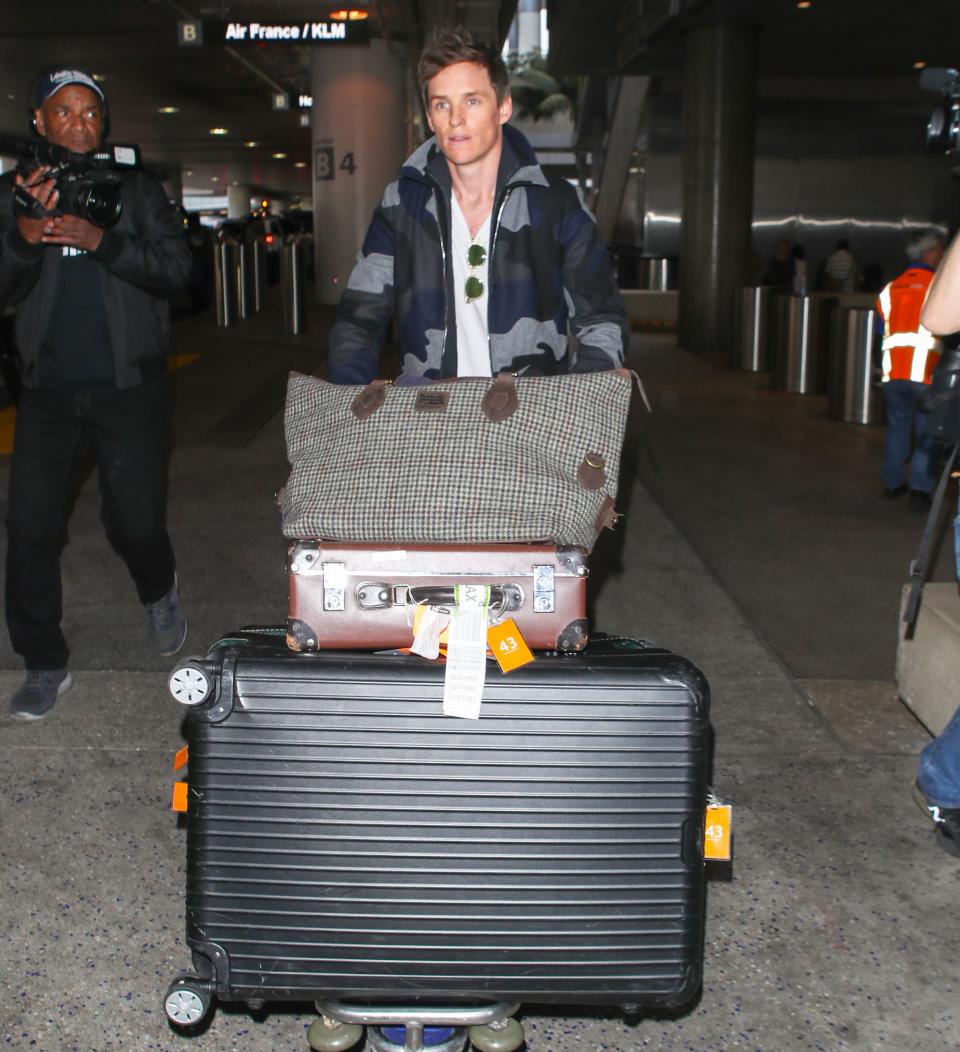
pixel 92 331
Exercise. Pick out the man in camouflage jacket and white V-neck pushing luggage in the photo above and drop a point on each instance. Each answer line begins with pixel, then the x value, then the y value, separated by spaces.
pixel 487 260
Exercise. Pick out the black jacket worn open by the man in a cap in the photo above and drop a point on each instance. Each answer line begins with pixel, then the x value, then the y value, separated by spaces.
pixel 145 259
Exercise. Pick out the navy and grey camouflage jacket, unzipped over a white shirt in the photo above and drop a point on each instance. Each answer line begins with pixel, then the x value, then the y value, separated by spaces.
pixel 547 272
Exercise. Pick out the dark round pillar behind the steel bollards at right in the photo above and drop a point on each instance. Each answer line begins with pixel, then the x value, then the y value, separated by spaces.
pixel 718 149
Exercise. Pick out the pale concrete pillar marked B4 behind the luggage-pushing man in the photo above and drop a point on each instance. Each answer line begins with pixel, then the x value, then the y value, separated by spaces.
pixel 358 148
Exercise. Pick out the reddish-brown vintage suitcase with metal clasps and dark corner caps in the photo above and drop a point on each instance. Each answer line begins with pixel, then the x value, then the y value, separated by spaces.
pixel 365 596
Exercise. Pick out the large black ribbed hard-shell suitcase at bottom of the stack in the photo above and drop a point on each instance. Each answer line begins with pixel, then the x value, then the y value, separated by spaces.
pixel 349 841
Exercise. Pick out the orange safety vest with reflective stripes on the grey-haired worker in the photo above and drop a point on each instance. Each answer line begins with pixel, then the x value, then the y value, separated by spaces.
pixel 910 351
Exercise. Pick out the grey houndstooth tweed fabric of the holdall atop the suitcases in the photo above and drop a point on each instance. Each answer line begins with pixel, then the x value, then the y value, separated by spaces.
pixel 406 476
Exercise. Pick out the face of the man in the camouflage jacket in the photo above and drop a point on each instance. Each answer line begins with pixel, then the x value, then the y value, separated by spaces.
pixel 464 114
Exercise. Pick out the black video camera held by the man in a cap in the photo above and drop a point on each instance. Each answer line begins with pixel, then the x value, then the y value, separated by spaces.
pixel 88 184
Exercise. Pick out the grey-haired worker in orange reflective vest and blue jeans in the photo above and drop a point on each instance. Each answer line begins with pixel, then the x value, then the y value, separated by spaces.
pixel 910 354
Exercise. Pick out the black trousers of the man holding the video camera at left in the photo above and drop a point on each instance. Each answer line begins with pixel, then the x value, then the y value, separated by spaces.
pixel 128 433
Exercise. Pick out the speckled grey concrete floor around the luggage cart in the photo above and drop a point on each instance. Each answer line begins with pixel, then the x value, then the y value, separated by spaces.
pixel 755 543
